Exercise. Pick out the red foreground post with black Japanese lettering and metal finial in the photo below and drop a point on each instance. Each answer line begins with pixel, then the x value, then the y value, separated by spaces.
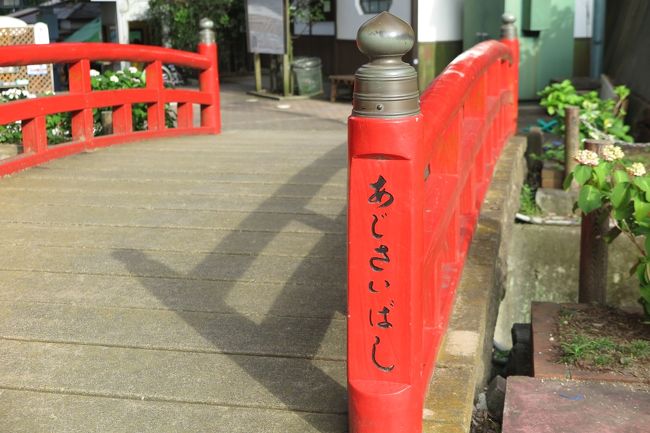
pixel 385 312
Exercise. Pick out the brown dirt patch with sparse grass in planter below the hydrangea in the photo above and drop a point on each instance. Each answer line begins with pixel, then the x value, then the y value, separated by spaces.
pixel 604 339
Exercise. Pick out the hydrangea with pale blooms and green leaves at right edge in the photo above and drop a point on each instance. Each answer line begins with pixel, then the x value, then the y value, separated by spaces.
pixel 622 189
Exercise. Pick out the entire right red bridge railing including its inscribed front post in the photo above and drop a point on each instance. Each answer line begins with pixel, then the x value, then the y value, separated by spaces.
pixel 417 176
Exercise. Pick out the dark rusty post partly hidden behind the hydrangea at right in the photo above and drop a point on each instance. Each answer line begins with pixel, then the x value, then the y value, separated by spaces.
pixel 593 248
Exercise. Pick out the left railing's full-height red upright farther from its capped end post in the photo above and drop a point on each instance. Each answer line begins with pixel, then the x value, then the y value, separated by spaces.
pixel 82 121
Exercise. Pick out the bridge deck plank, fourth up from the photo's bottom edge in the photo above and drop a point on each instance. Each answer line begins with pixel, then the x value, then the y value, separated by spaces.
pixel 111 291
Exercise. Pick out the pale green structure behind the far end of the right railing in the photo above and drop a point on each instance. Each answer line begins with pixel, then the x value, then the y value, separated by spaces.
pixel 545 32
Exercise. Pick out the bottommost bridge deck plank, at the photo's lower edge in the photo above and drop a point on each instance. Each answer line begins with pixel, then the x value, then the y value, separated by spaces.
pixel 29 412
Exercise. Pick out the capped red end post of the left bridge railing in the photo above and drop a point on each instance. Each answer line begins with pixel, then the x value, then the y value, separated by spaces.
pixel 209 78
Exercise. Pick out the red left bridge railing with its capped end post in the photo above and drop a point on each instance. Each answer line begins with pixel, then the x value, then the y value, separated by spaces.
pixel 81 100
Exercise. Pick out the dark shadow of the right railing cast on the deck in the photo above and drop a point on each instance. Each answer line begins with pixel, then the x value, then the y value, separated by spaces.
pixel 323 389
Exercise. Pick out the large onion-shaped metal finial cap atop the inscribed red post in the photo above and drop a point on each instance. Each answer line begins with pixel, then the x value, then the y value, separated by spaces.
pixel 386 86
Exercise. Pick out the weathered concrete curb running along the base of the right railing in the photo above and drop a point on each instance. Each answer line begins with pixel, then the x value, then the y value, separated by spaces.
pixel 464 359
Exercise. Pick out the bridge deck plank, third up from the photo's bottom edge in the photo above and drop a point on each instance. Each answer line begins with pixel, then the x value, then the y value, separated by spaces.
pixel 231 332
